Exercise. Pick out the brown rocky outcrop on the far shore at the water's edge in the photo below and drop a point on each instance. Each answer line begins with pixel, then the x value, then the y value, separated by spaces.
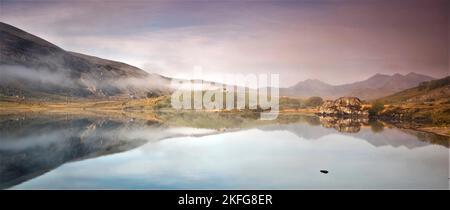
pixel 344 106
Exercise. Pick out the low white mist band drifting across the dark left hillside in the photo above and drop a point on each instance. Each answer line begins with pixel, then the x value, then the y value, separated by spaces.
pixel 16 77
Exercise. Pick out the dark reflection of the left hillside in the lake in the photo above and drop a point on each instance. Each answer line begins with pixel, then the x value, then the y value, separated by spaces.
pixel 31 146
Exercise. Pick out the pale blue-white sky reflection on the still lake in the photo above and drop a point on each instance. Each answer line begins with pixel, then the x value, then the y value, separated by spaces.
pixel 262 158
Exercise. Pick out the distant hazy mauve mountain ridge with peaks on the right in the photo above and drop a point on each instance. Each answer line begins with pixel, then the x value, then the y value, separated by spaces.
pixel 374 87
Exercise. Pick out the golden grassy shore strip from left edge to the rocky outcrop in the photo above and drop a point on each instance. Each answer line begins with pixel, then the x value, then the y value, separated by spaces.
pixel 155 109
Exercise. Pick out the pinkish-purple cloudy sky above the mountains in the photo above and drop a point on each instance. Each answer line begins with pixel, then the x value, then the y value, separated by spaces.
pixel 335 41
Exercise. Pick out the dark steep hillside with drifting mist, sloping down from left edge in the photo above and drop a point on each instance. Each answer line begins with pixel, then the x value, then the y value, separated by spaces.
pixel 33 67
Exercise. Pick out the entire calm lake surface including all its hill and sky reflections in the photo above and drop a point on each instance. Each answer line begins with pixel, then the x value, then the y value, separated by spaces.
pixel 79 152
